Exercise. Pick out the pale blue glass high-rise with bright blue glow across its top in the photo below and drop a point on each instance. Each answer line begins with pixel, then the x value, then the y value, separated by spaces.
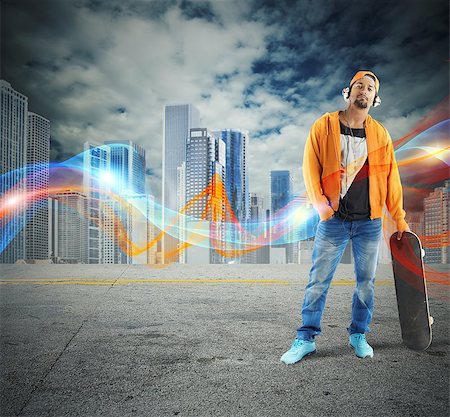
pixel 118 209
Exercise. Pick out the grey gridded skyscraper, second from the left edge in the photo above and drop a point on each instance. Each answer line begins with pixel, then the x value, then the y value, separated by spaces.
pixel 38 155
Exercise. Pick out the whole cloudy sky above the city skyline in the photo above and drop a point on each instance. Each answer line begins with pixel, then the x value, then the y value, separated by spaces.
pixel 103 69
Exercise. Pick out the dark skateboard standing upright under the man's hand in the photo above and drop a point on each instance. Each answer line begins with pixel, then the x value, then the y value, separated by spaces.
pixel 411 289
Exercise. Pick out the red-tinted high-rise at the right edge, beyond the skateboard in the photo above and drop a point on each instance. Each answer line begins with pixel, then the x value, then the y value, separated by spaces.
pixel 436 224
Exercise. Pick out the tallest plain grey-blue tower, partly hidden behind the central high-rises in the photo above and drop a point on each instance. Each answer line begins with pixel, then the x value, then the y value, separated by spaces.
pixel 178 120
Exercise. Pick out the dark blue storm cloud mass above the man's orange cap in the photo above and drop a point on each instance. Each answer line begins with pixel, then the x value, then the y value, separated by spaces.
pixel 403 43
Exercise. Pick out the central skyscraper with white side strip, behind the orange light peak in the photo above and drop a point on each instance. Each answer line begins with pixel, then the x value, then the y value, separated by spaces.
pixel 205 170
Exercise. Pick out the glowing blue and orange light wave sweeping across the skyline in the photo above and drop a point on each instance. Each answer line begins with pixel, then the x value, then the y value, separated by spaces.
pixel 423 158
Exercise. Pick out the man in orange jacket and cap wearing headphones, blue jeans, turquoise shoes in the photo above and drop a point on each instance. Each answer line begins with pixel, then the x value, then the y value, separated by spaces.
pixel 350 173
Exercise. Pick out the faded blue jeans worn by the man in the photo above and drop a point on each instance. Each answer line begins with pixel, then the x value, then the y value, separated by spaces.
pixel 330 241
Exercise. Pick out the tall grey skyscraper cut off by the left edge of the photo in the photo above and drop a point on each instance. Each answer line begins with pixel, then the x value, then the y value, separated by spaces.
pixel 13 136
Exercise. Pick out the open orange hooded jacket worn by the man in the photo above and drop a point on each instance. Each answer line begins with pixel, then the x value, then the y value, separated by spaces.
pixel 322 164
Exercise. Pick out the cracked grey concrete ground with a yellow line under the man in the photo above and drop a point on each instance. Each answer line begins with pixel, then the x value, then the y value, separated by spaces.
pixel 205 341
